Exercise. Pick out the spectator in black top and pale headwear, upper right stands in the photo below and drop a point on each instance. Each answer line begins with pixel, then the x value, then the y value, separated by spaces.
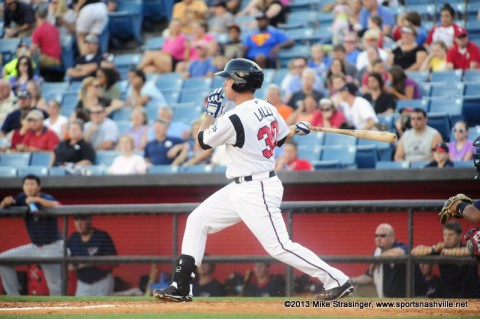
pixel 409 55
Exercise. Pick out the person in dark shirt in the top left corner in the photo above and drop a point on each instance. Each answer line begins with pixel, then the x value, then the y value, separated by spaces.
pixel 19 18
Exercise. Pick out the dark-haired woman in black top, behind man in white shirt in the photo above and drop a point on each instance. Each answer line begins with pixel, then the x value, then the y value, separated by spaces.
pixel 382 101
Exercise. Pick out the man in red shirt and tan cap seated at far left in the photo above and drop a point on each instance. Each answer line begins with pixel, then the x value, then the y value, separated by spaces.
pixel 39 138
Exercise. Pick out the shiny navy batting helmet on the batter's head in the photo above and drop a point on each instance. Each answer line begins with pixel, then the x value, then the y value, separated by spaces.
pixel 248 75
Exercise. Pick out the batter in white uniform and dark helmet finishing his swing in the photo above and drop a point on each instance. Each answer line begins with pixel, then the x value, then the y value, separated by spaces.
pixel 250 132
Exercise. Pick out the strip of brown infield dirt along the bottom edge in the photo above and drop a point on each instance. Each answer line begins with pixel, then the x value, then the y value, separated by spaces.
pixel 349 307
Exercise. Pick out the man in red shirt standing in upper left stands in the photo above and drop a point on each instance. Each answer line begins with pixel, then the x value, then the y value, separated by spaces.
pixel 46 39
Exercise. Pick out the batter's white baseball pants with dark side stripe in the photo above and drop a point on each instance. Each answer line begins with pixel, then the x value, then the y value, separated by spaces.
pixel 257 204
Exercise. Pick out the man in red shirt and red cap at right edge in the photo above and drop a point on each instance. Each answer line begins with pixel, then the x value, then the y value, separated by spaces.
pixel 465 55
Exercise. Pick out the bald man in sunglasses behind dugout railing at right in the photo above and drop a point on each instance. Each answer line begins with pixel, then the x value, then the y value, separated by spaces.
pixel 388 278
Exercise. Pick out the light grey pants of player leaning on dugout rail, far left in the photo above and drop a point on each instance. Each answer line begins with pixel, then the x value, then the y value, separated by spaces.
pixel 52 271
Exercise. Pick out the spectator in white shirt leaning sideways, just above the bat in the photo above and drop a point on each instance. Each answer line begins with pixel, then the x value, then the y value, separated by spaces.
pixel 358 111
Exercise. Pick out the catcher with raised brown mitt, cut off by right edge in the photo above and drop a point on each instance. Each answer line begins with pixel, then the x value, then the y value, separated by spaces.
pixel 461 206
